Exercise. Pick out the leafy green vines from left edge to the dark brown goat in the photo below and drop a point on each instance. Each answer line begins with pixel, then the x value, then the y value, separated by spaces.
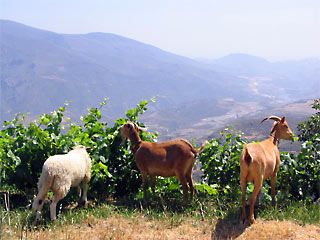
pixel 24 148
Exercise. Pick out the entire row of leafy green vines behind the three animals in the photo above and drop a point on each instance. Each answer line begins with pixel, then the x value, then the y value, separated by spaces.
pixel 24 148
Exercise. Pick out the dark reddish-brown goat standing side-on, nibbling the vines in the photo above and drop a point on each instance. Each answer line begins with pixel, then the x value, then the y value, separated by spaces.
pixel 167 159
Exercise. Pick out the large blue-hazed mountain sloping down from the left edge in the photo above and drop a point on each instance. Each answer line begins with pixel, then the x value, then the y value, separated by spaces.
pixel 41 70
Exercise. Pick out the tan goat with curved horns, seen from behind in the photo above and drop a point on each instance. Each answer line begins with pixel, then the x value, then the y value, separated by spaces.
pixel 260 161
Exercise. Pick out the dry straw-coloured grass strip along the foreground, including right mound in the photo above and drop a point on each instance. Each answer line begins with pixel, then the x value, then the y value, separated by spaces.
pixel 117 222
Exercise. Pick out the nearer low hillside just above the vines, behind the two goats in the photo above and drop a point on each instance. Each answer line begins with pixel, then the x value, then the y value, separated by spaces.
pixel 225 113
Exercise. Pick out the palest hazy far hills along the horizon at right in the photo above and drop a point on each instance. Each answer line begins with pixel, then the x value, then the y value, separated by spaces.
pixel 285 80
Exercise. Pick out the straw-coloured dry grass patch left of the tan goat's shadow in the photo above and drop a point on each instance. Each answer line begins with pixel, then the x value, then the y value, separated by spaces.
pixel 119 227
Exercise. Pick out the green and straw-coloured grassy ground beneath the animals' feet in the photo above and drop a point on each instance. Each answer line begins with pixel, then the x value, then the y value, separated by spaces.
pixel 125 219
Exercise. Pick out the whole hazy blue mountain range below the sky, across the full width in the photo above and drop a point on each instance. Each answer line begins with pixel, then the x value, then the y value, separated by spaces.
pixel 41 70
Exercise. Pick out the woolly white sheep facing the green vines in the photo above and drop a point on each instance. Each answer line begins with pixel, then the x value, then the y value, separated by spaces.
pixel 59 173
